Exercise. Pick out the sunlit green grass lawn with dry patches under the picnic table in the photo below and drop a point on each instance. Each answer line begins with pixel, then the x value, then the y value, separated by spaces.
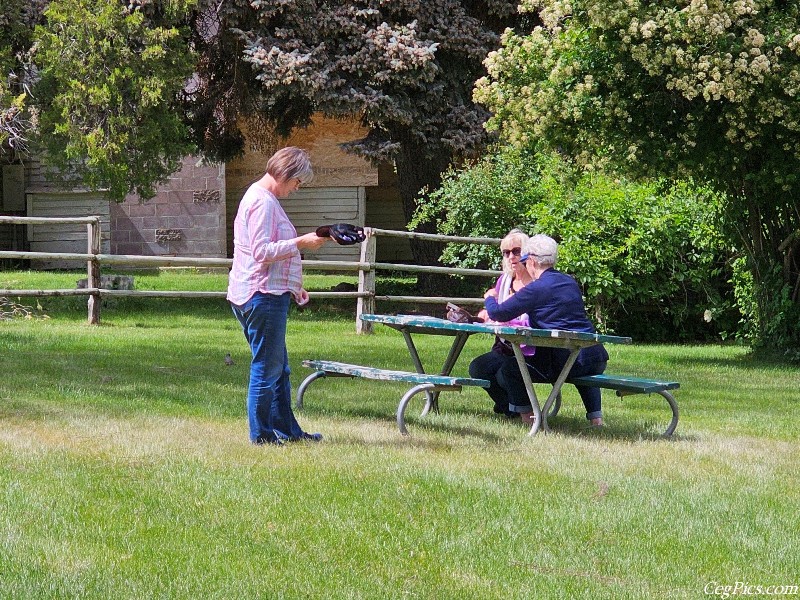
pixel 125 471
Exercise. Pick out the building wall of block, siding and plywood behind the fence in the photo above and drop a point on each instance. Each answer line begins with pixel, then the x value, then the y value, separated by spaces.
pixel 192 213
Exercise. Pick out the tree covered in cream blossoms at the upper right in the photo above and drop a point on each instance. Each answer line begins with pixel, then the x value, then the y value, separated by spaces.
pixel 705 88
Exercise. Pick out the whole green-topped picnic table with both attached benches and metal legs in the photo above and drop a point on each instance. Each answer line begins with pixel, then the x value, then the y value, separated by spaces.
pixel 432 384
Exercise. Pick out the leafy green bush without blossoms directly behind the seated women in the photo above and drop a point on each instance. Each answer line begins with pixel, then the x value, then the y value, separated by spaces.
pixel 649 257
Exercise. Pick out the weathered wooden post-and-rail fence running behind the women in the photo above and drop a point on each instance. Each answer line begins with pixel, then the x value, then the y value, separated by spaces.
pixel 366 267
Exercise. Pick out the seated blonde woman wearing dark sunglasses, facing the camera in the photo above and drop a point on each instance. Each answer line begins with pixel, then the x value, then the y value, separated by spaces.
pixel 515 276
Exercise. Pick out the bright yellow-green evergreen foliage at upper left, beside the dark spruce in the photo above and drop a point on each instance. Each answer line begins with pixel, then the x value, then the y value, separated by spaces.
pixel 111 77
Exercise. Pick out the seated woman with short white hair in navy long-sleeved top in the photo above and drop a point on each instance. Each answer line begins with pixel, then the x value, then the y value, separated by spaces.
pixel 552 300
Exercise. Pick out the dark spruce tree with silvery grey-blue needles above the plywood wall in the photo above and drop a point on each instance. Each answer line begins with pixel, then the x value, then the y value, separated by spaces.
pixel 404 69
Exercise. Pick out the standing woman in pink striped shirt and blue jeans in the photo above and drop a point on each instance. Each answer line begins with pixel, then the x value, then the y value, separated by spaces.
pixel 266 275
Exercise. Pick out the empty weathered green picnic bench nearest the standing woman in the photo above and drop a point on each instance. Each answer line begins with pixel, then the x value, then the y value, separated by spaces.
pixel 423 382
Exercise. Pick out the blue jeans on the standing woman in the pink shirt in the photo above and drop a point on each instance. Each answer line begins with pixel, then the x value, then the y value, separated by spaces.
pixel 269 396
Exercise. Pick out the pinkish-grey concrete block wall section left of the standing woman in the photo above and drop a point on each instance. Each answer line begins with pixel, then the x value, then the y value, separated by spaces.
pixel 186 218
